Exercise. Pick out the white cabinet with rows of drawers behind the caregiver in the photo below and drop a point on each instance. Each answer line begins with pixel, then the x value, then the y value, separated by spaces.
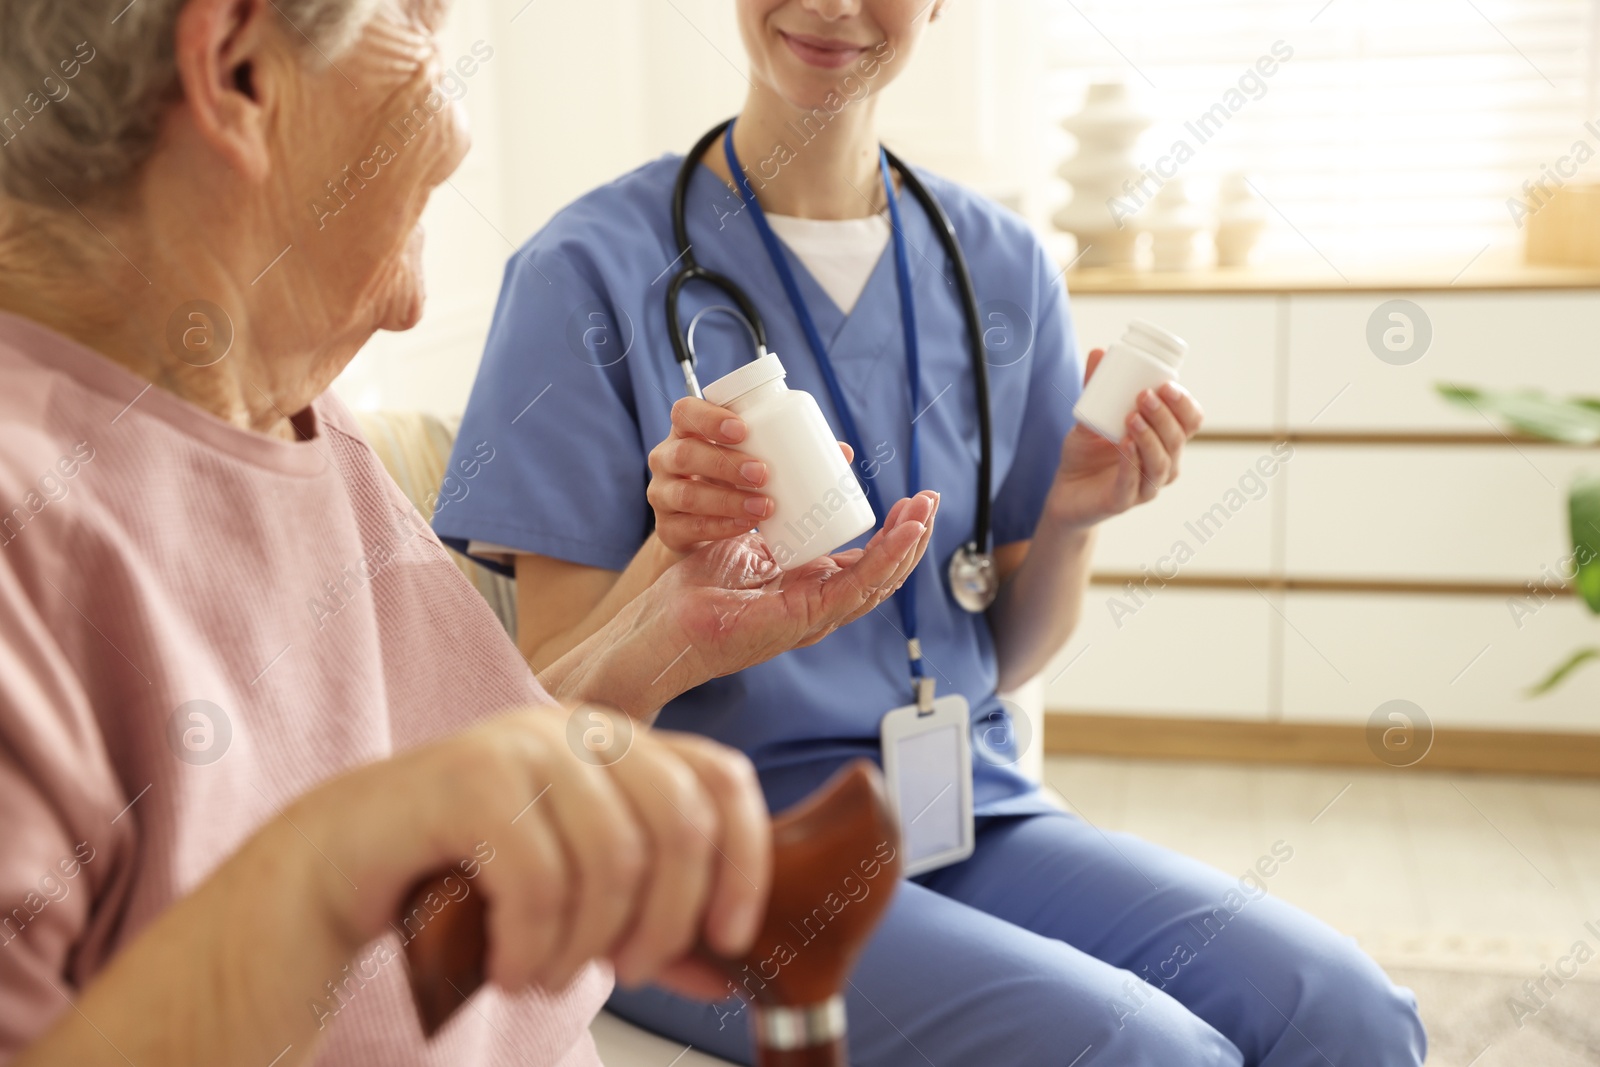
pixel 1386 554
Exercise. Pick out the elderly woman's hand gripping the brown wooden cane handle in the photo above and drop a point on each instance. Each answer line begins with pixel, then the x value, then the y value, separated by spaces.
pixel 630 863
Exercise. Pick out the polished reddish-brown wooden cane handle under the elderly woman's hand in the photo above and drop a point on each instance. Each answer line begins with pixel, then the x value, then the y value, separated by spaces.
pixel 836 866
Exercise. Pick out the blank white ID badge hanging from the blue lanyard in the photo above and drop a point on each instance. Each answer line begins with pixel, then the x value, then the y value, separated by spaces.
pixel 929 770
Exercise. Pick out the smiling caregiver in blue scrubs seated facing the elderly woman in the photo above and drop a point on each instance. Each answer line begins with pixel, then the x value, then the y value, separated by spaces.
pixel 1055 945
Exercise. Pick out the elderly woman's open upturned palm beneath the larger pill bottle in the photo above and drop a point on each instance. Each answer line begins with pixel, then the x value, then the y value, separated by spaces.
pixel 734 607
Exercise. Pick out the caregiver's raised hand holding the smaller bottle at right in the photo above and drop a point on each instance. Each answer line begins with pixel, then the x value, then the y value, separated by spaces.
pixel 1098 479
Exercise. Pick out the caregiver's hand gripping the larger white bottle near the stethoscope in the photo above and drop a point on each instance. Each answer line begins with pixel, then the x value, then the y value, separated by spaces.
pixel 702 487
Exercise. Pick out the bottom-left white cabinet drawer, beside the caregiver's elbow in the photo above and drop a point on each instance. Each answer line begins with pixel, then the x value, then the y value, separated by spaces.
pixel 1182 653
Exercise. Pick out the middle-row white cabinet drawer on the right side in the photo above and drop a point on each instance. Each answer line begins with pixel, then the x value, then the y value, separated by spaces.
pixel 1462 513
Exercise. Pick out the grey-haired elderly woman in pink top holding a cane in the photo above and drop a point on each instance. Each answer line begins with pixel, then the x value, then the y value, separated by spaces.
pixel 214 797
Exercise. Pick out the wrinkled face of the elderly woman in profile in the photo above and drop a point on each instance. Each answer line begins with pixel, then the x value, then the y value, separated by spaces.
pixel 359 148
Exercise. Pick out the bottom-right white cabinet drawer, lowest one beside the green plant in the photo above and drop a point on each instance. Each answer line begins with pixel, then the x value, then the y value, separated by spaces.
pixel 1466 661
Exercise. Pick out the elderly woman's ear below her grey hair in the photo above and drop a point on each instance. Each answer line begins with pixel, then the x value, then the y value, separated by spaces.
pixel 230 55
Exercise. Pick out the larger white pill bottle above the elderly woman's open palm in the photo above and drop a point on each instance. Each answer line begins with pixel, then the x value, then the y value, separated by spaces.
pixel 818 505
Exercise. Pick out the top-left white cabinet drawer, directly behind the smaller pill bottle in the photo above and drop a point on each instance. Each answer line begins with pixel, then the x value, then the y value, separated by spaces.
pixel 1233 345
